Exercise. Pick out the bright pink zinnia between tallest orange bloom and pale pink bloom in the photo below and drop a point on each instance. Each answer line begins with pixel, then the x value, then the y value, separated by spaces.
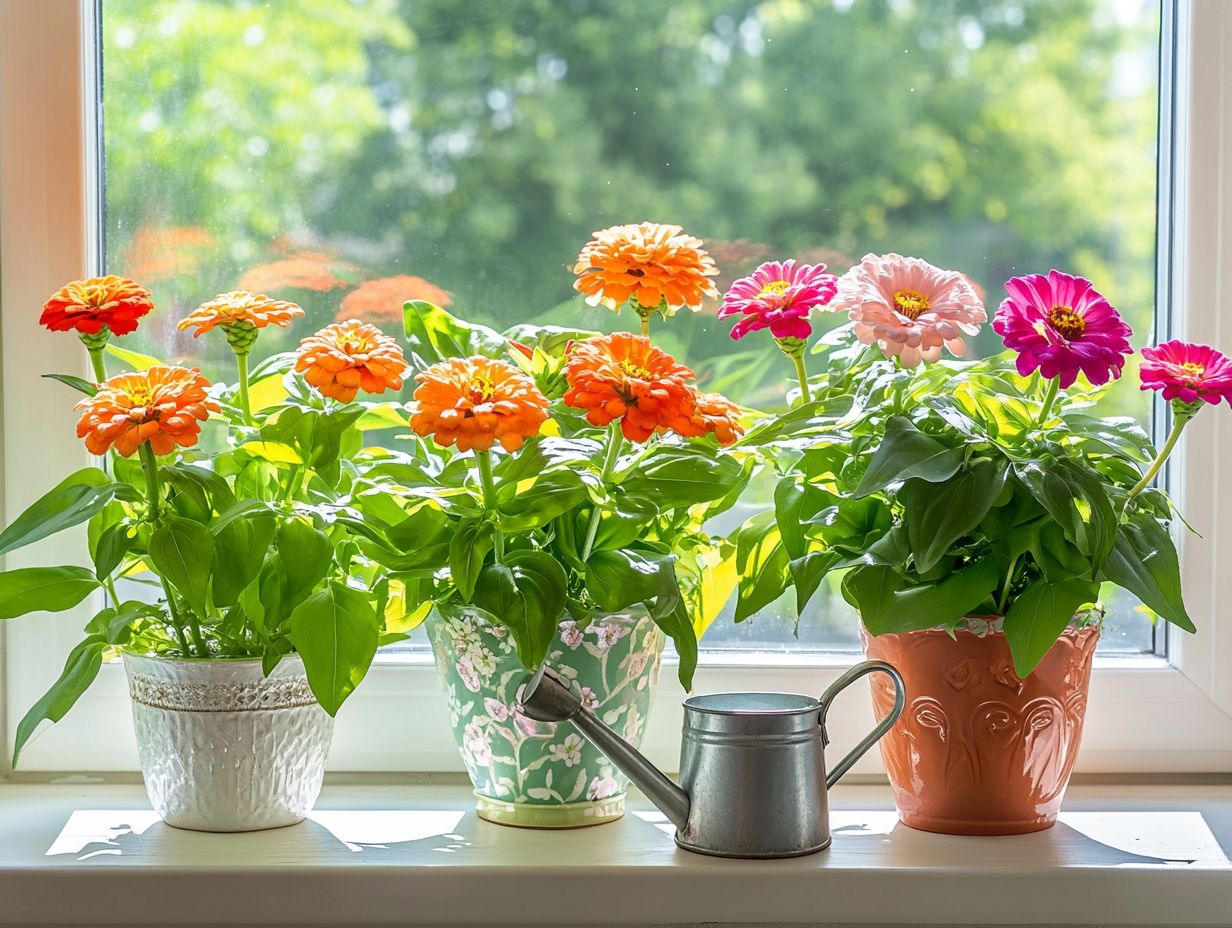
pixel 778 296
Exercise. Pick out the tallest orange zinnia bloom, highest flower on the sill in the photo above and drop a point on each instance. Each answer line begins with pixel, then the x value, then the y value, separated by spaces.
pixel 654 264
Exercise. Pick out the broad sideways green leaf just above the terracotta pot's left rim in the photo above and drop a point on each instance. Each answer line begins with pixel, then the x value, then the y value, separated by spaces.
pixel 889 604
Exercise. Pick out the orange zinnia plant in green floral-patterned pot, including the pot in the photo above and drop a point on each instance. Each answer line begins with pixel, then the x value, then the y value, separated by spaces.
pixel 557 500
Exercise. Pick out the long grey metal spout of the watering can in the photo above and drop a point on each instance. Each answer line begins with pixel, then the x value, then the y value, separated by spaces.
pixel 546 697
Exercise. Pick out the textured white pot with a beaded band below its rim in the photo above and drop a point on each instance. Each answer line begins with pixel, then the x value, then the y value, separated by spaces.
pixel 225 749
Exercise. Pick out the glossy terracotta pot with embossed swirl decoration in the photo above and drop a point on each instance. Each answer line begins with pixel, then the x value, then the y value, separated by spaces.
pixel 979 750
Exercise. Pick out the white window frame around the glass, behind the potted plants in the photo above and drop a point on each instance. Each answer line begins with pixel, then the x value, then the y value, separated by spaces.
pixel 1145 715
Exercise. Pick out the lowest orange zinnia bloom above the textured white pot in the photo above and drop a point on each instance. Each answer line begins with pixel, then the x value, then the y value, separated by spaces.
pixel 161 406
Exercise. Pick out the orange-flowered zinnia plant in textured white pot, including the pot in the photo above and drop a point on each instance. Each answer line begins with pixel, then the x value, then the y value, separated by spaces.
pixel 242 606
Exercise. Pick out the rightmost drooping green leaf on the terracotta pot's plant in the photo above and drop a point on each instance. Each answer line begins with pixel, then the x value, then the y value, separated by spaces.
pixel 1144 561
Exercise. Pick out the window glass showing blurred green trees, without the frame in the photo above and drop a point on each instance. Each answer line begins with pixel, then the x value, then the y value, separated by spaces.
pixel 351 155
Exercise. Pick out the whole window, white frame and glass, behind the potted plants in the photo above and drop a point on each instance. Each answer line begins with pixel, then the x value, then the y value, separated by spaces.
pixel 344 153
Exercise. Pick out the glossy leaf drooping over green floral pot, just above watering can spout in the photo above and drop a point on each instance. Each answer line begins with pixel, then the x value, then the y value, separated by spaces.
pixel 527 595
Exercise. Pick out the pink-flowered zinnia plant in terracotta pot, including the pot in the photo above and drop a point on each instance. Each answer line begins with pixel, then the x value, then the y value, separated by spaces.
pixel 978 511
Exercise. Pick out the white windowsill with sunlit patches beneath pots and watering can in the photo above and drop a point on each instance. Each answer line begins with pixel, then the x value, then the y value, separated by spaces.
pixel 417 855
